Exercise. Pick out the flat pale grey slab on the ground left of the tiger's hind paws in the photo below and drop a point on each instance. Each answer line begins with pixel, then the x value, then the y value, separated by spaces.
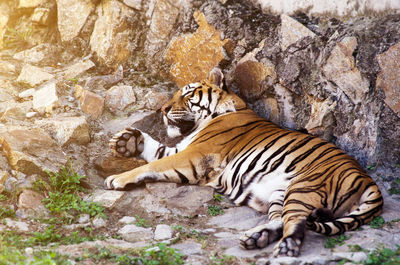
pixel 239 218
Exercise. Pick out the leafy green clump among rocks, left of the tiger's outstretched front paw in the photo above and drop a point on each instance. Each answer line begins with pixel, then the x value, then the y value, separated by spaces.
pixel 62 194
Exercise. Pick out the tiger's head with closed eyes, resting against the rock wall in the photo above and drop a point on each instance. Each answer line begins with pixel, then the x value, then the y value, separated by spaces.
pixel 197 103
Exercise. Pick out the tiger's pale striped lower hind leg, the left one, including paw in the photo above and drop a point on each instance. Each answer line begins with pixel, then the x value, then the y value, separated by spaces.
pixel 263 235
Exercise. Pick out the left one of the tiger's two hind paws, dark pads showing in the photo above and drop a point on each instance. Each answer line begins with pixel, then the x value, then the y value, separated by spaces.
pixel 261 236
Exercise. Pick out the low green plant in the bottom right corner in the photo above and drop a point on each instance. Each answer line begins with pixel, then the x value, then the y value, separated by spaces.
pixel 383 256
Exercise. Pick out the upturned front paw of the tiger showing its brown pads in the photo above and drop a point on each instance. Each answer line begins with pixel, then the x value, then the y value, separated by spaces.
pixel 127 143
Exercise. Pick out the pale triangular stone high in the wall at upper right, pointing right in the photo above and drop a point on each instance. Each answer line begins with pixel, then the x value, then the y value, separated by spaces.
pixel 292 31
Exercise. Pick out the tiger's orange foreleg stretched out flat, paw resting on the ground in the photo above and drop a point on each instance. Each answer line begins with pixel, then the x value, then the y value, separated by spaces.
pixel 178 168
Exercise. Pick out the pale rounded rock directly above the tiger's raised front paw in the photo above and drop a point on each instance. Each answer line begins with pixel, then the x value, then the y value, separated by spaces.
pixel 119 97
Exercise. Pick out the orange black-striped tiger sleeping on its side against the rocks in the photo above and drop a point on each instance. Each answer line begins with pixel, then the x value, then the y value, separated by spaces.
pixel 301 181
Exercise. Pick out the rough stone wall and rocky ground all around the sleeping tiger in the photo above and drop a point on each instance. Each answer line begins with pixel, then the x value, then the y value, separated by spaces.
pixel 65 92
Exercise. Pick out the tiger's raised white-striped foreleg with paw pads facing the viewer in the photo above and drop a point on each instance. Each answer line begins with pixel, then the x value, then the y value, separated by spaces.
pixel 133 142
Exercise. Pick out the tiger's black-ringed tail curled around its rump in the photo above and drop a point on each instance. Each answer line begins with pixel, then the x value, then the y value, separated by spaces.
pixel 321 220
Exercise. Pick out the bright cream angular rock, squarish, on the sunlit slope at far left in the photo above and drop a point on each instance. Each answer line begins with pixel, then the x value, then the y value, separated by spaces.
pixel 45 99
